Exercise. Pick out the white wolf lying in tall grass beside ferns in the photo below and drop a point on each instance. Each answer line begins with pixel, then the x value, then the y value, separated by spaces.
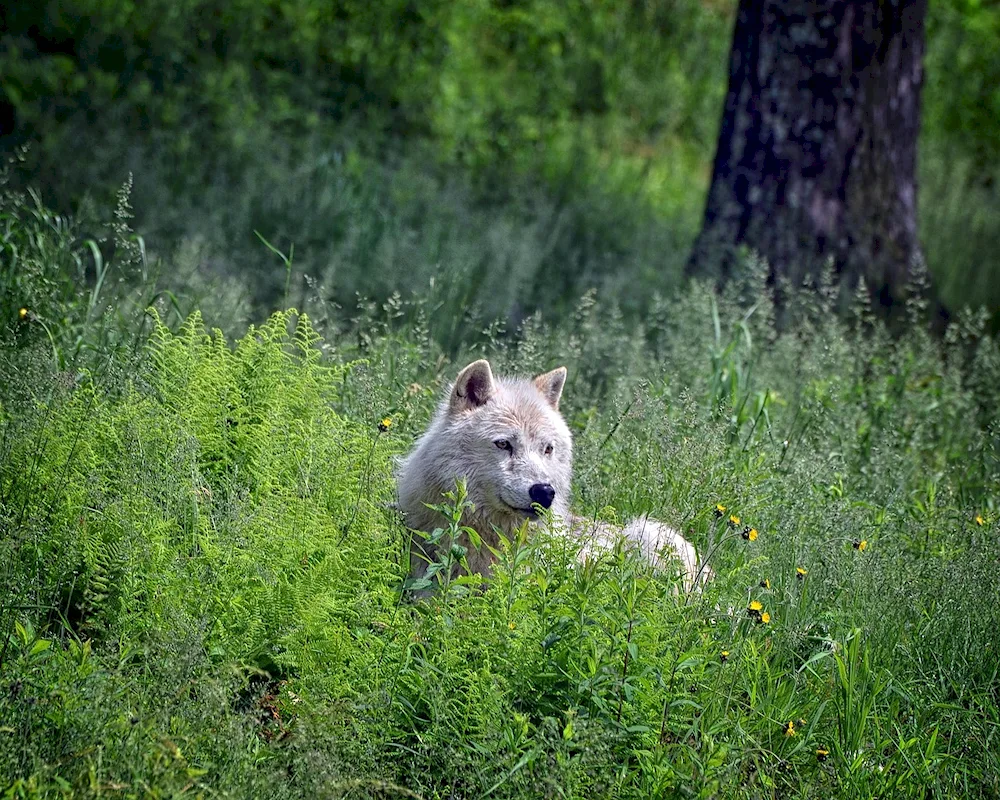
pixel 509 442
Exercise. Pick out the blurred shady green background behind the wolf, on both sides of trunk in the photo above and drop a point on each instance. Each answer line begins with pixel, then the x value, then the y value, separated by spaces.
pixel 520 153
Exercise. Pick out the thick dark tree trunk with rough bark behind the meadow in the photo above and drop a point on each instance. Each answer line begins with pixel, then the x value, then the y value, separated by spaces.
pixel 817 153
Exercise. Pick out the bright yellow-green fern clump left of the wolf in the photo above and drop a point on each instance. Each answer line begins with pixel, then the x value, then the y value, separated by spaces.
pixel 140 496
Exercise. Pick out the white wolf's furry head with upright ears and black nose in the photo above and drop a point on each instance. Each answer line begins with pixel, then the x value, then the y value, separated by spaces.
pixel 505 437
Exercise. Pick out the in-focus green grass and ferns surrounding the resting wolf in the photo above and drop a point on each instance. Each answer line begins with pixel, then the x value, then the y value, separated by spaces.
pixel 202 570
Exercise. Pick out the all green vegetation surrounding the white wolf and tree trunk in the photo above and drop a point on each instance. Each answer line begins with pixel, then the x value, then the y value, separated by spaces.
pixel 247 246
